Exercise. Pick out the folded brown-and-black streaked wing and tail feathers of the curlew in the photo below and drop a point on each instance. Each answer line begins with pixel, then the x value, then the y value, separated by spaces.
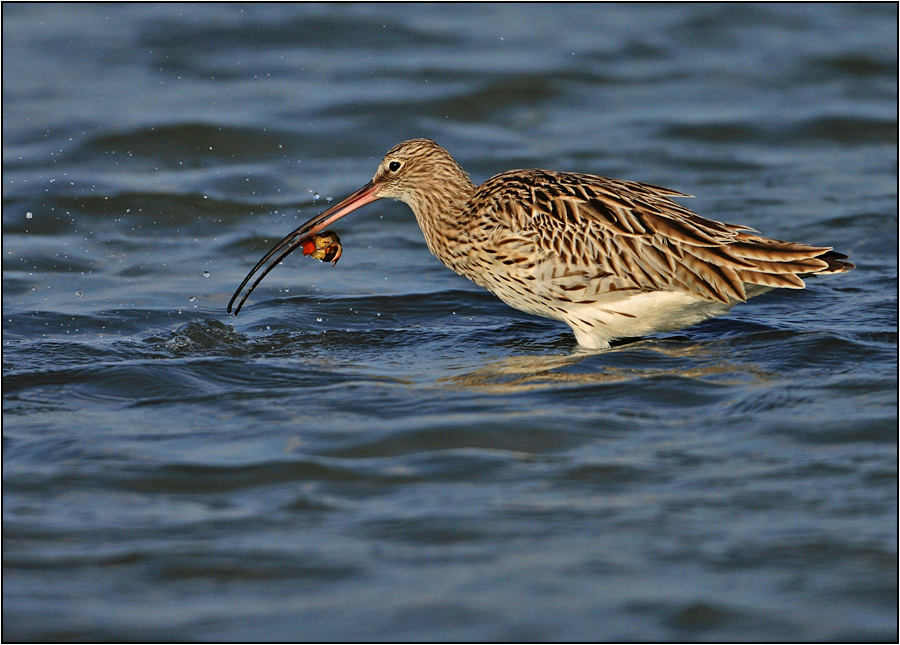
pixel 631 236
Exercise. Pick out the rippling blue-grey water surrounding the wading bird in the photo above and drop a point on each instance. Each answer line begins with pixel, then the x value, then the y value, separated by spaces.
pixel 380 450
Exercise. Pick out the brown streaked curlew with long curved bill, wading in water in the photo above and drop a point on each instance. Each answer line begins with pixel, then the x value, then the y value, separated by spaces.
pixel 610 258
